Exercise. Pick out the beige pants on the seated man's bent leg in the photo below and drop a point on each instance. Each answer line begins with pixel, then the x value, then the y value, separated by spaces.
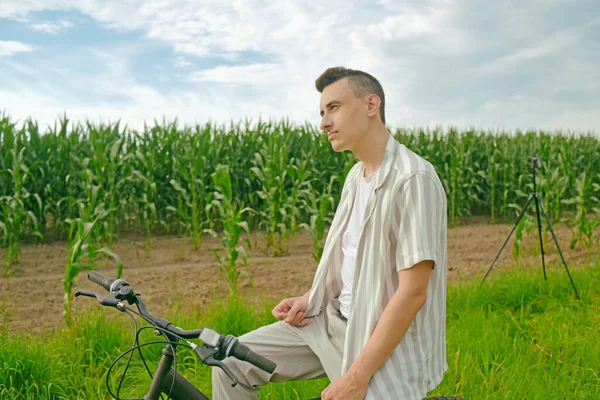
pixel 301 353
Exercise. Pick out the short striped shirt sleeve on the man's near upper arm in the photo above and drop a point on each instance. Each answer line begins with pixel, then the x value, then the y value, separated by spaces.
pixel 419 216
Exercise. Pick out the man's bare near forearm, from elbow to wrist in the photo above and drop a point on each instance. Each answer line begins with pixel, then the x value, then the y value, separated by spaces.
pixel 389 331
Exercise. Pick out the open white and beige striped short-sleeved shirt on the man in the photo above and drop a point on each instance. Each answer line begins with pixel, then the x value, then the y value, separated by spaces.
pixel 404 223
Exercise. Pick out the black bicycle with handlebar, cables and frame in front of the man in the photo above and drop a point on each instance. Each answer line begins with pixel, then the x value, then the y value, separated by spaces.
pixel 167 380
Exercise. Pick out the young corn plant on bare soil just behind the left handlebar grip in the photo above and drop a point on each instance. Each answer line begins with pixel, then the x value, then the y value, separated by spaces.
pixel 80 246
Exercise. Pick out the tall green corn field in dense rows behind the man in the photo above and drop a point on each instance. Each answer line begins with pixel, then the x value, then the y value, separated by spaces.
pixel 159 180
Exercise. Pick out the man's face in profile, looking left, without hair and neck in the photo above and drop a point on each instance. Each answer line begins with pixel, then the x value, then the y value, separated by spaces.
pixel 343 116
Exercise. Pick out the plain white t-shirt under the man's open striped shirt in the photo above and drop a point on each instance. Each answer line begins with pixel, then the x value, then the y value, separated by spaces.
pixel 350 239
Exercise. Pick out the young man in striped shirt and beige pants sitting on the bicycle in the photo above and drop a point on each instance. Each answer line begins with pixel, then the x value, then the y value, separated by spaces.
pixel 374 320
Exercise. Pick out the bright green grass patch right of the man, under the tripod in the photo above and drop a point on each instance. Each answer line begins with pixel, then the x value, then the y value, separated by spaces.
pixel 523 337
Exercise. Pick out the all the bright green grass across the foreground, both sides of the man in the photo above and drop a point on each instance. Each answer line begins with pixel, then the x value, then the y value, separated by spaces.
pixel 518 336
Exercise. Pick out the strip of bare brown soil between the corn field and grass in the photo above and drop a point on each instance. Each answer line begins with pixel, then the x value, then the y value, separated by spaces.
pixel 31 300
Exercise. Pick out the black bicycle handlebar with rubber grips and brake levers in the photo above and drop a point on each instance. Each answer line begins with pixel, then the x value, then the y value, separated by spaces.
pixel 120 290
